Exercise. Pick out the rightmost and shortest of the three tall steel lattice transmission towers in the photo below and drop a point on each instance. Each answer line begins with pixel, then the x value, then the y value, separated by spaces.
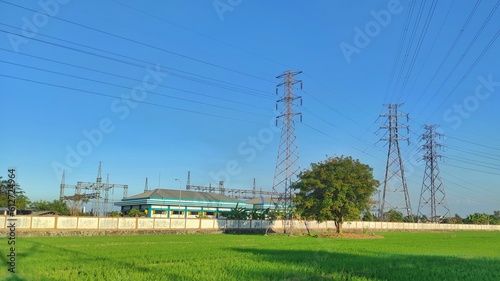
pixel 432 193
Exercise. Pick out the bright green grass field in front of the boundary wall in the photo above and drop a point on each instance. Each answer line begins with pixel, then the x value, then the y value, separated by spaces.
pixel 396 256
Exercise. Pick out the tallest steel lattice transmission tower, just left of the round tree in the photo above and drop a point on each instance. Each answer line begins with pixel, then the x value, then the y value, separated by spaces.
pixel 287 163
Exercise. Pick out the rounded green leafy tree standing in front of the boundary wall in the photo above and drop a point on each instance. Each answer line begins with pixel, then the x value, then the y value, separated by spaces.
pixel 337 189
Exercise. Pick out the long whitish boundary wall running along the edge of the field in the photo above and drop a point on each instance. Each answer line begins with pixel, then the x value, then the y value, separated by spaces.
pixel 125 223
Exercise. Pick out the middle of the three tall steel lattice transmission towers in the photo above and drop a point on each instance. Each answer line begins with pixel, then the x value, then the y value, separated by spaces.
pixel 394 182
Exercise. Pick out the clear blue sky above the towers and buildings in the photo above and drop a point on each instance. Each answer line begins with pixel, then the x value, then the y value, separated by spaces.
pixel 73 75
